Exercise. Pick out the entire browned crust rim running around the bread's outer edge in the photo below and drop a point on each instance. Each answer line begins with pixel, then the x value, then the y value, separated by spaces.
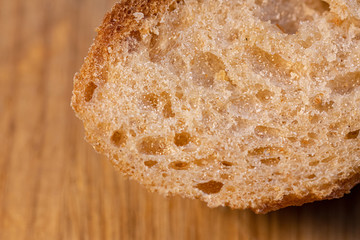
pixel 118 26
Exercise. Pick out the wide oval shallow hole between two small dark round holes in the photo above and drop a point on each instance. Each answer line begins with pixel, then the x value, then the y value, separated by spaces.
pixel 152 145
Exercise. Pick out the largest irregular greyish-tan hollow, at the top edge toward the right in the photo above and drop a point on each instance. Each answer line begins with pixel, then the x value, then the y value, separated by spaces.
pixel 286 15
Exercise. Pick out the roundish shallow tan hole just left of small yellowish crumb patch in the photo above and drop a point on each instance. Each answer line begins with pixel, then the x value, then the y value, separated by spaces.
pixel 204 66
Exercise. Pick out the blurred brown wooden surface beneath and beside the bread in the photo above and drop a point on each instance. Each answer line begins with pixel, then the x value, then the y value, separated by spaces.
pixel 52 183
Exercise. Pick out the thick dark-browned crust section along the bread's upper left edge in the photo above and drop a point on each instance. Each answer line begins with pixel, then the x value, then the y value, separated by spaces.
pixel 117 26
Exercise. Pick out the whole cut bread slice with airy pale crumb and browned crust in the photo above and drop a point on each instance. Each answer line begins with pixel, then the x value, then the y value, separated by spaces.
pixel 251 104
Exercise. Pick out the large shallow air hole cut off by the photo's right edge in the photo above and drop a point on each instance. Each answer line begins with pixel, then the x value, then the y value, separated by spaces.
pixel 345 84
